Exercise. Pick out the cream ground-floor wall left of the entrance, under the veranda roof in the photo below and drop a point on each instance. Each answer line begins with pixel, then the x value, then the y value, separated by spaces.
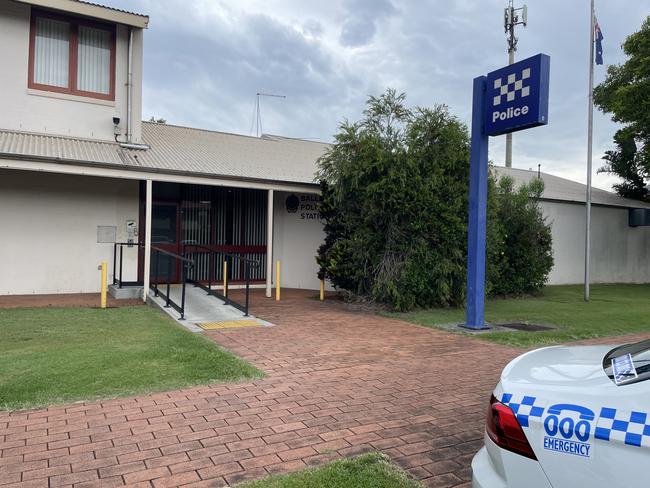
pixel 48 231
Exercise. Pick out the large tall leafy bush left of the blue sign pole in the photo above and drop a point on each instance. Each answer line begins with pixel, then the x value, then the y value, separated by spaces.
pixel 395 205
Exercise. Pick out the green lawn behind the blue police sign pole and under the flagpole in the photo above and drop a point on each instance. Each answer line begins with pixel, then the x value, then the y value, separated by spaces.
pixel 613 310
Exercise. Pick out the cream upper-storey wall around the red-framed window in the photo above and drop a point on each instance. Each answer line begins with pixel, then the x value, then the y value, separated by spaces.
pixel 40 111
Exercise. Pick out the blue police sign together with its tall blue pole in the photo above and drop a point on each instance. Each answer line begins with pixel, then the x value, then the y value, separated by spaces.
pixel 506 100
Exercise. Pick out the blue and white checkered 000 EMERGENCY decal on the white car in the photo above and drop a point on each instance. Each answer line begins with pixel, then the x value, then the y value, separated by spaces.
pixel 569 428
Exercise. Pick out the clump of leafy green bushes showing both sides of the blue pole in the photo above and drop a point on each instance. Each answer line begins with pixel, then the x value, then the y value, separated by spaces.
pixel 395 188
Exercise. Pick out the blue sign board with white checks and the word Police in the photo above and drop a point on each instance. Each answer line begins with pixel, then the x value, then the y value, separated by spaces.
pixel 517 96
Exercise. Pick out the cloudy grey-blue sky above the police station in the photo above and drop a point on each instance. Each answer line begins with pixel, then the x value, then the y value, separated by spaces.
pixel 206 59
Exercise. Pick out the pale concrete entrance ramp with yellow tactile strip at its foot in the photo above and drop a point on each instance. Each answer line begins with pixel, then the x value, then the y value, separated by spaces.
pixel 205 312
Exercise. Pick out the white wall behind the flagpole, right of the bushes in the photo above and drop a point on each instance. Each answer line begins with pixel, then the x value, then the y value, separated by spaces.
pixel 619 253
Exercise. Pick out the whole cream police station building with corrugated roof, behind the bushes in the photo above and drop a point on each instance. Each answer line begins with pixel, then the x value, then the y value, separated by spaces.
pixel 80 173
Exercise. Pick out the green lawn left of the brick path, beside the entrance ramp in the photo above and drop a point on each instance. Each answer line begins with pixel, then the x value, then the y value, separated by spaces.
pixel 57 355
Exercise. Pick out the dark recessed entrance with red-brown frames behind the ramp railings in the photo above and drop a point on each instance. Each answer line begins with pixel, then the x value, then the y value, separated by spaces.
pixel 196 219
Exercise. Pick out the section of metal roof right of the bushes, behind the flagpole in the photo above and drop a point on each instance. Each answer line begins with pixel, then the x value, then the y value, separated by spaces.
pixel 556 188
